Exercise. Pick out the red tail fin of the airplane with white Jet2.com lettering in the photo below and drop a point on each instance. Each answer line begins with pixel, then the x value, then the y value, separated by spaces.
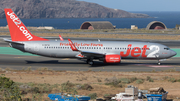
pixel 18 30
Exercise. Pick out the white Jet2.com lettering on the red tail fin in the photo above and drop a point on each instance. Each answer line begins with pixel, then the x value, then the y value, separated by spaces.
pixel 19 24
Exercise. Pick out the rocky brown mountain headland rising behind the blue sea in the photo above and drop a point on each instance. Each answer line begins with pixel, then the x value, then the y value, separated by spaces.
pixel 62 9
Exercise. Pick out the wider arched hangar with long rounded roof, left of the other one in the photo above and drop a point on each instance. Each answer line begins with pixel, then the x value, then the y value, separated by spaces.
pixel 97 25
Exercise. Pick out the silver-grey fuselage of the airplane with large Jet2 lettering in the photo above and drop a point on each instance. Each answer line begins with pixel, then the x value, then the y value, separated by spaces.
pixel 126 49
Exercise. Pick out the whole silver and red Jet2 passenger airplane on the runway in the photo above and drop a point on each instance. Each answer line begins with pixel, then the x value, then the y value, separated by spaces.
pixel 106 51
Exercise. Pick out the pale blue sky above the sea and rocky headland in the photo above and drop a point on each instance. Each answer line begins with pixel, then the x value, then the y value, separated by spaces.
pixel 139 5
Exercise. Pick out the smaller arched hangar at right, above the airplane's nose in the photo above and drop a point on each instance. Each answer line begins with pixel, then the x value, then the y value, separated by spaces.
pixel 156 25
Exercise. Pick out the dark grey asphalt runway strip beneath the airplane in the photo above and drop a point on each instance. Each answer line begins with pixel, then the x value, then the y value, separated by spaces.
pixel 20 62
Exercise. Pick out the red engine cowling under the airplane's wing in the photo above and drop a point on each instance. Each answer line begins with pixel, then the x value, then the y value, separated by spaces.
pixel 115 58
